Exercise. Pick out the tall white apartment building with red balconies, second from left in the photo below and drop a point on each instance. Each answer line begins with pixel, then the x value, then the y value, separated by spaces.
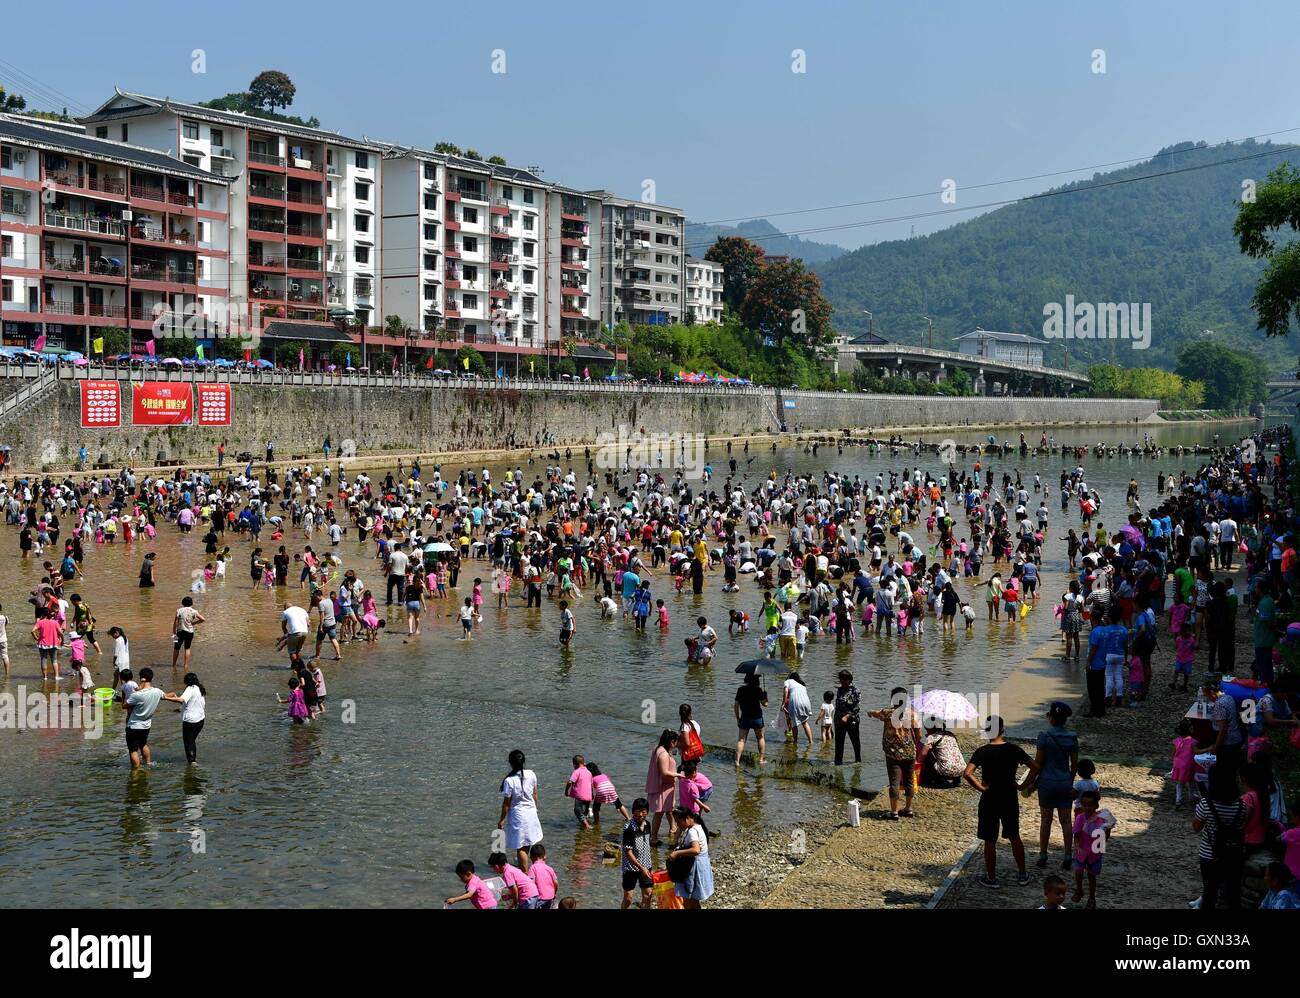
pixel 305 206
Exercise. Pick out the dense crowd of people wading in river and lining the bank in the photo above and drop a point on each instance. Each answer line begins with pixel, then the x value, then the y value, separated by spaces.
pixel 814 556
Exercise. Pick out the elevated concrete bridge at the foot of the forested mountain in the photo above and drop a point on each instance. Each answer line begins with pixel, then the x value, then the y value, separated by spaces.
pixel 989 376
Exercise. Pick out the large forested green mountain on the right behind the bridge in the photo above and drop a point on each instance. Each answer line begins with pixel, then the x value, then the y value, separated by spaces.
pixel 1167 241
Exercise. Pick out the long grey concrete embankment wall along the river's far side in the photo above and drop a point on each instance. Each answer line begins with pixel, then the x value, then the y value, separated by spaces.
pixel 423 418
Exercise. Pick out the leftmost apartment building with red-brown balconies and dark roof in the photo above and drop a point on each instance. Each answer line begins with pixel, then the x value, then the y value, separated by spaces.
pixel 97 233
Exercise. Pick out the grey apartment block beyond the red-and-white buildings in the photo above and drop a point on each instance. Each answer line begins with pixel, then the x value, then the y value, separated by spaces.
pixel 643 262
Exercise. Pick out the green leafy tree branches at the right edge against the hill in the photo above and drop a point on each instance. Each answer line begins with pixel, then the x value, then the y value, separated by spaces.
pixel 1276 206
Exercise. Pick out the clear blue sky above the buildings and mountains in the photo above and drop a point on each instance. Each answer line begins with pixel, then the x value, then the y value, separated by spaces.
pixel 703 99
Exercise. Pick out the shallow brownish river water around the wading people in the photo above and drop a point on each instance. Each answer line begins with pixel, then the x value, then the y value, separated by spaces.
pixel 379 812
